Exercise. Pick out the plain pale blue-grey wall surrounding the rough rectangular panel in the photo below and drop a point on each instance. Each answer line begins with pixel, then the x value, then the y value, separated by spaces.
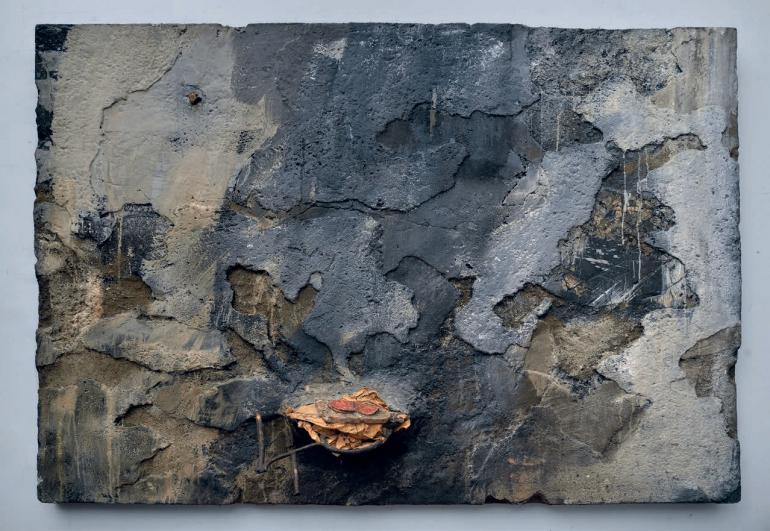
pixel 19 508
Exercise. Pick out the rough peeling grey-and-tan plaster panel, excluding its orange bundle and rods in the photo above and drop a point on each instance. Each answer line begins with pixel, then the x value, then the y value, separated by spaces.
pixel 524 238
